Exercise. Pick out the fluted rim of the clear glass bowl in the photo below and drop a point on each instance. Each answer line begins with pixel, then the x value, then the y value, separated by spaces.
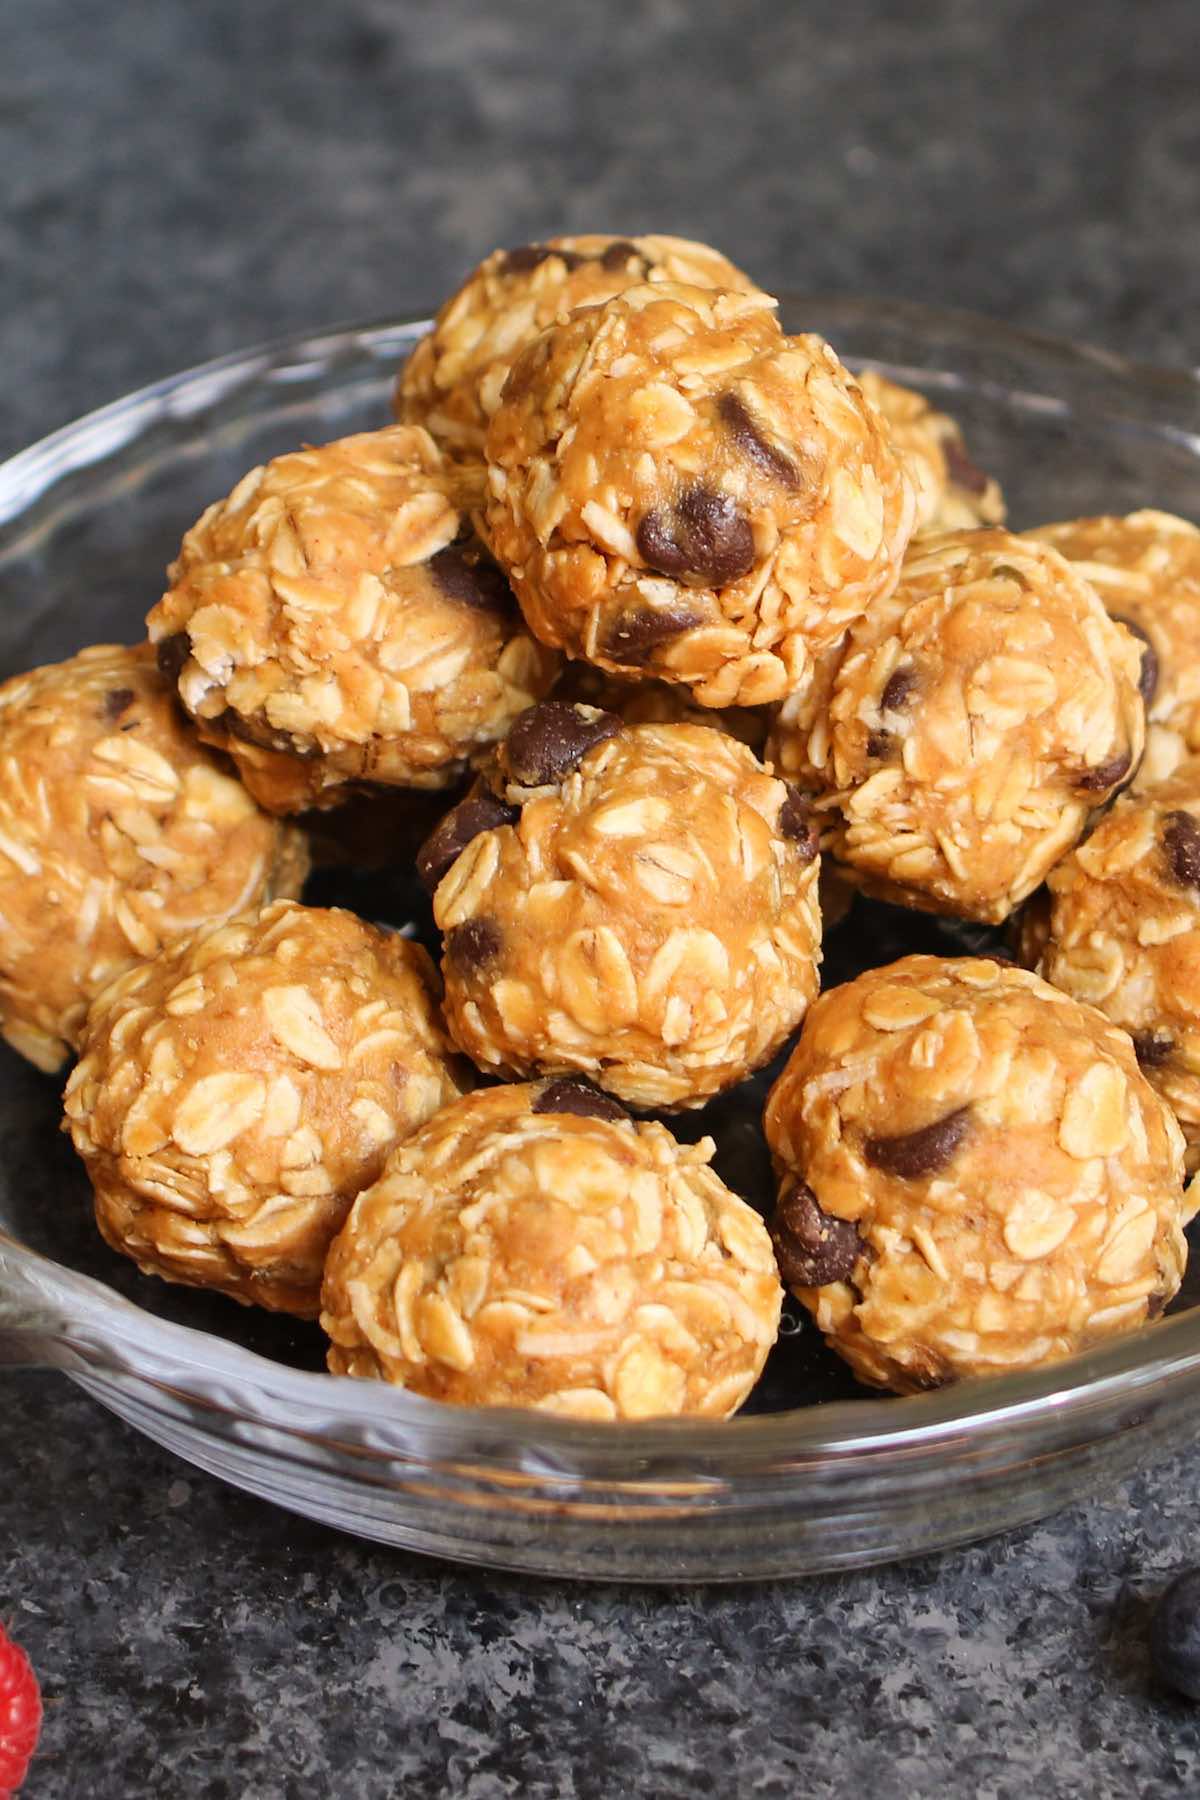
pixel 55 1317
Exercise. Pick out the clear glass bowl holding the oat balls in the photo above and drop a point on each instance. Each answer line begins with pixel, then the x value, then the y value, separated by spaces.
pixel 87 523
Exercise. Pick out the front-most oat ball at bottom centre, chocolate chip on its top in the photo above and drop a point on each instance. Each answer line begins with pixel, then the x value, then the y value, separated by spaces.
pixel 533 1246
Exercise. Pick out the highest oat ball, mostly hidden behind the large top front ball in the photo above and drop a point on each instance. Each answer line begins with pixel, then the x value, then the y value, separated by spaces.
pixel 452 382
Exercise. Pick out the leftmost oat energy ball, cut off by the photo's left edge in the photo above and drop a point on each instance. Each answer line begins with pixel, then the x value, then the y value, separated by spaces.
pixel 118 834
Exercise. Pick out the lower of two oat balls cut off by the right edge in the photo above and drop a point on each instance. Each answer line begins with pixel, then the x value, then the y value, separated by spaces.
pixel 1124 933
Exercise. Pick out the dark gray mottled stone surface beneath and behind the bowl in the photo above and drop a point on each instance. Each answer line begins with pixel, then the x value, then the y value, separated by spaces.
pixel 184 179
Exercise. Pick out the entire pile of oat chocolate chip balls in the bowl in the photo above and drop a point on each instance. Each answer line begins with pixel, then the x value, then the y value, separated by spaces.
pixel 695 634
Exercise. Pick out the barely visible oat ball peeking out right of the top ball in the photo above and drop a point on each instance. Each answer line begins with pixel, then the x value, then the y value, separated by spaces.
pixel 953 494
